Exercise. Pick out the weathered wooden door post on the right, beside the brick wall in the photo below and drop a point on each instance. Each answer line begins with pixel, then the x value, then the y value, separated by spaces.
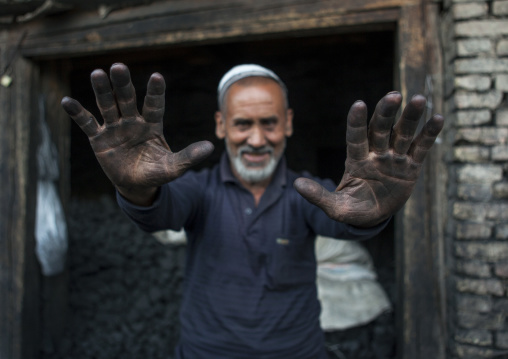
pixel 420 305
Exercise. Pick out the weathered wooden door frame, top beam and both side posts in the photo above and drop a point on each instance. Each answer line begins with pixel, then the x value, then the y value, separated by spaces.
pixel 419 239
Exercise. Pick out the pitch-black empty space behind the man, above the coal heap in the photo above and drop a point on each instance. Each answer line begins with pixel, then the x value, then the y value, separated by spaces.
pixel 324 75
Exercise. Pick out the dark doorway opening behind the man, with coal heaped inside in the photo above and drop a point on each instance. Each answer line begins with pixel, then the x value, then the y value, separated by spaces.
pixel 324 74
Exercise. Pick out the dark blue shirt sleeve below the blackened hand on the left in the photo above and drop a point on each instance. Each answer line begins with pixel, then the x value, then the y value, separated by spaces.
pixel 176 203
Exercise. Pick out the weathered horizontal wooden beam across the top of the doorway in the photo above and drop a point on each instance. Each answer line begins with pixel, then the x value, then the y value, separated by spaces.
pixel 163 25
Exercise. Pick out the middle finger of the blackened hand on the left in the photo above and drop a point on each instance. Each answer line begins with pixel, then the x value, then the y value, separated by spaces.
pixel 124 90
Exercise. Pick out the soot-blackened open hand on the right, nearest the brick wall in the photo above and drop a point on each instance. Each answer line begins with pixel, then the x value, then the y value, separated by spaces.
pixel 382 165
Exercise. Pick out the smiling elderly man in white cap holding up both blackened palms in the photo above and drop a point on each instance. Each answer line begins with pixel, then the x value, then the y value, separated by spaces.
pixel 250 277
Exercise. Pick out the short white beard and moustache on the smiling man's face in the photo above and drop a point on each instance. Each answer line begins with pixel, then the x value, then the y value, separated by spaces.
pixel 249 174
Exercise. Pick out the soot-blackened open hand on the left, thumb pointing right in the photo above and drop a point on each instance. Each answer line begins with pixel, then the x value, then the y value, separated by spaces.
pixel 131 147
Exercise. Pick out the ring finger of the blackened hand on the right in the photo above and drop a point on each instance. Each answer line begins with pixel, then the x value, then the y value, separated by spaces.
pixel 404 130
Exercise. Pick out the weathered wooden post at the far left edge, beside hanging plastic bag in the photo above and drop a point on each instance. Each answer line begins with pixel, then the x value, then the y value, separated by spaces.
pixel 19 272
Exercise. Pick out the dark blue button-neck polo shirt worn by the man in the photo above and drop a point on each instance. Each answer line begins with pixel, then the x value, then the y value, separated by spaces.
pixel 249 290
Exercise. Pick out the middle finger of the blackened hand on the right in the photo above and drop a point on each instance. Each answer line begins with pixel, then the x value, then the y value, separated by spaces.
pixel 380 125
